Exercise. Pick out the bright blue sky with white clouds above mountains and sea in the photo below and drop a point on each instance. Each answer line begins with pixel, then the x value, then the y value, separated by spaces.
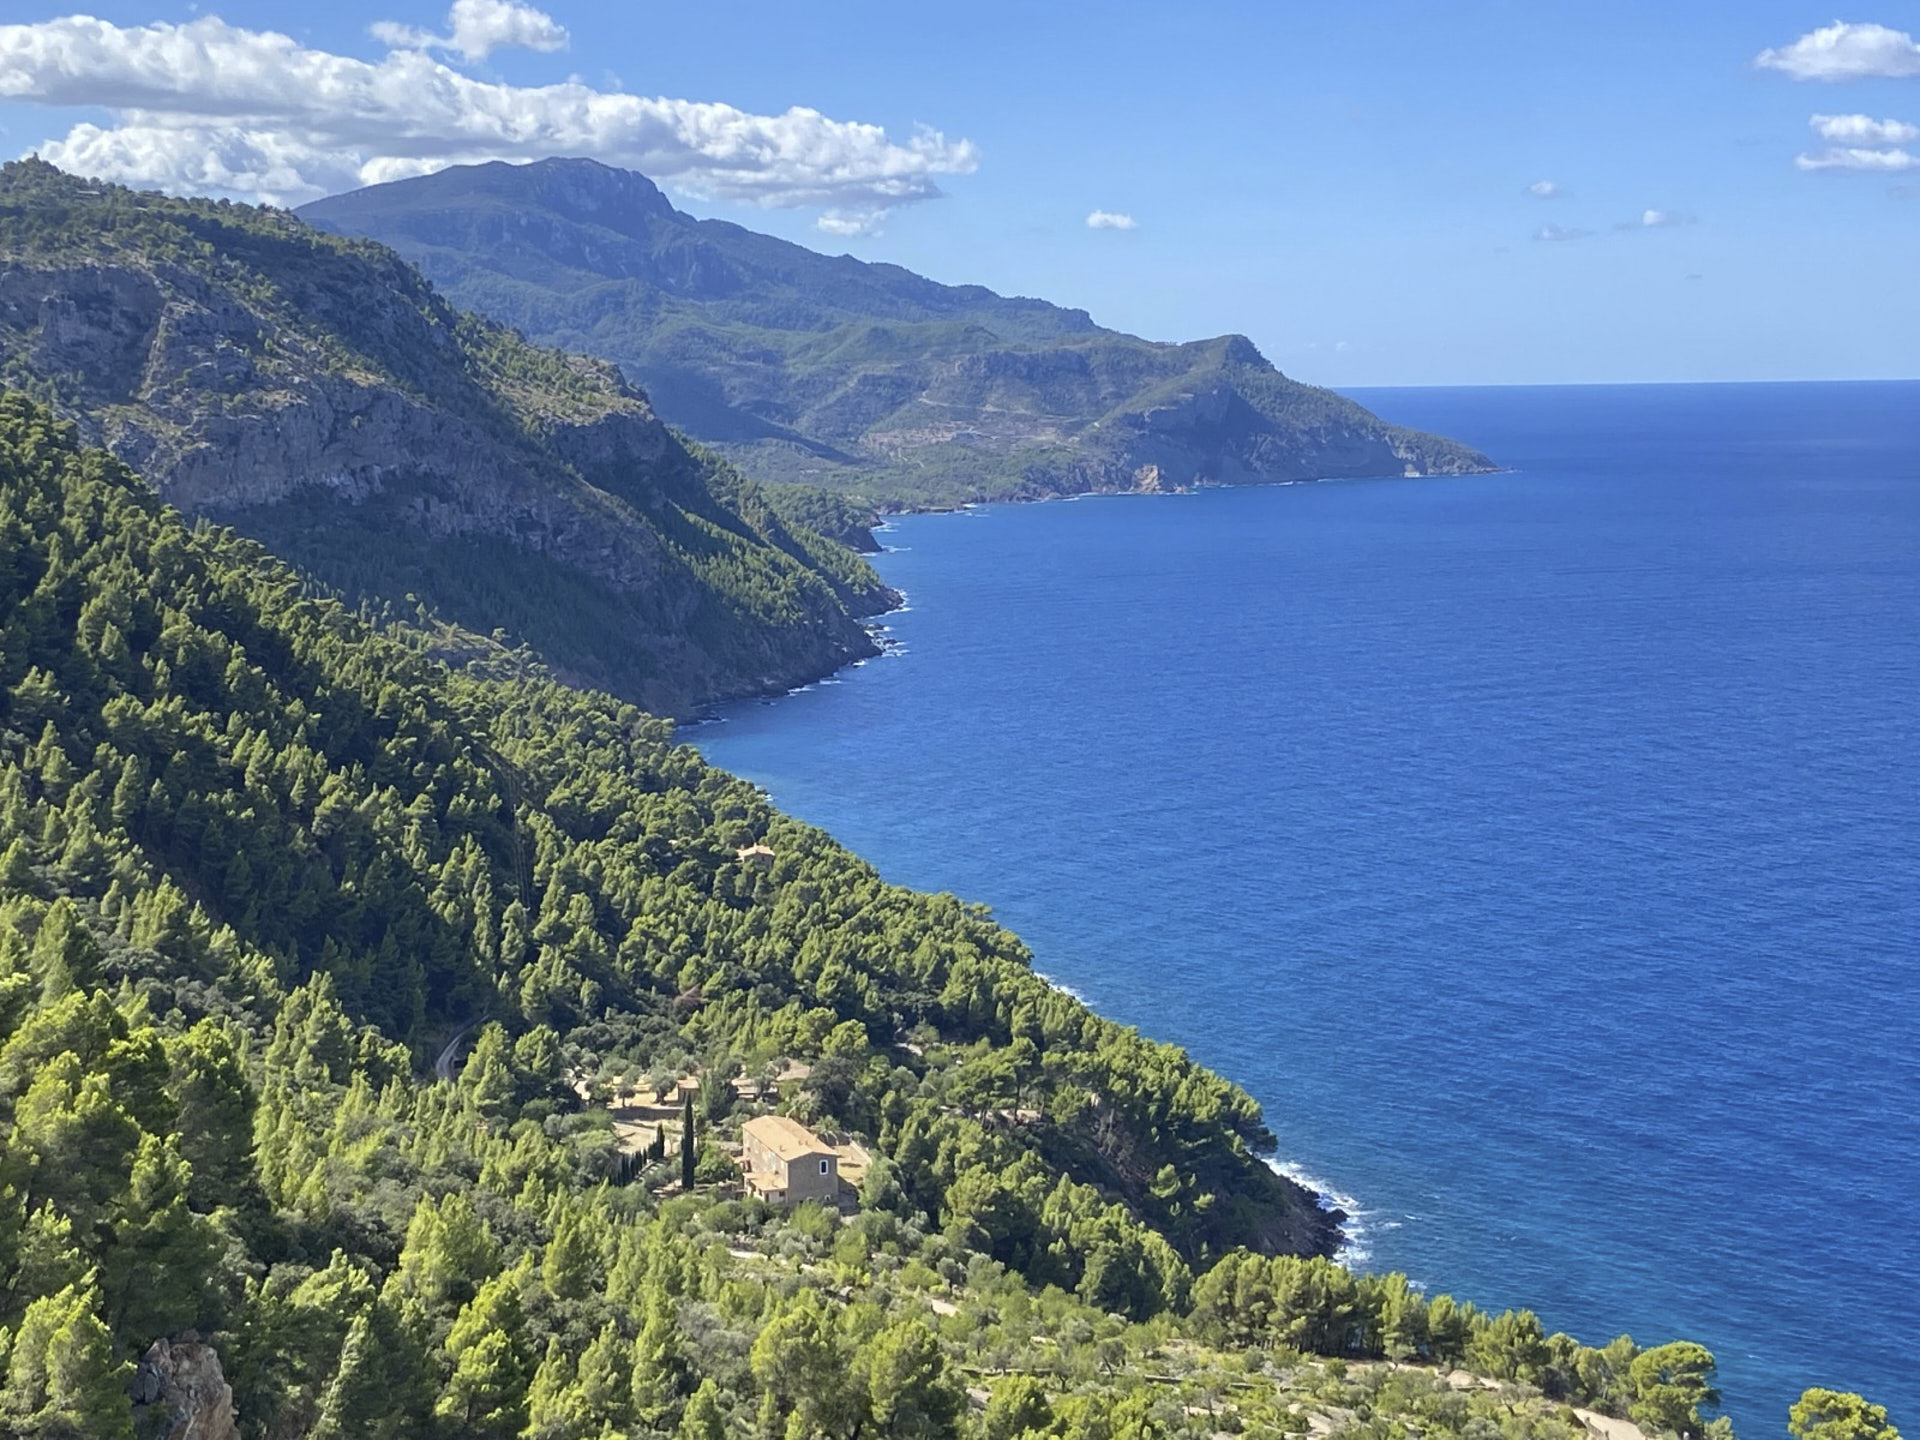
pixel 1349 185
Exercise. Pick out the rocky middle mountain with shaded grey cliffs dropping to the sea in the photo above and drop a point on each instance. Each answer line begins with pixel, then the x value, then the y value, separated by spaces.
pixel 318 395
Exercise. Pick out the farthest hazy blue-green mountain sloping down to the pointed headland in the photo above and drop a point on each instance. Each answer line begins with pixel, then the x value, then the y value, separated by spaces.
pixel 863 377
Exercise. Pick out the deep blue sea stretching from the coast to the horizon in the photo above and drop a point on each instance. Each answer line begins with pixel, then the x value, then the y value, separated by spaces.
pixel 1541 850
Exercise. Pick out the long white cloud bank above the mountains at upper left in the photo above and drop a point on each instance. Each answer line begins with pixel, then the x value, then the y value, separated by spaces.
pixel 218 108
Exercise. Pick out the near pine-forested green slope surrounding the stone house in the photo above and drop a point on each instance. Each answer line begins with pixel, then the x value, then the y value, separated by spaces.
pixel 258 863
